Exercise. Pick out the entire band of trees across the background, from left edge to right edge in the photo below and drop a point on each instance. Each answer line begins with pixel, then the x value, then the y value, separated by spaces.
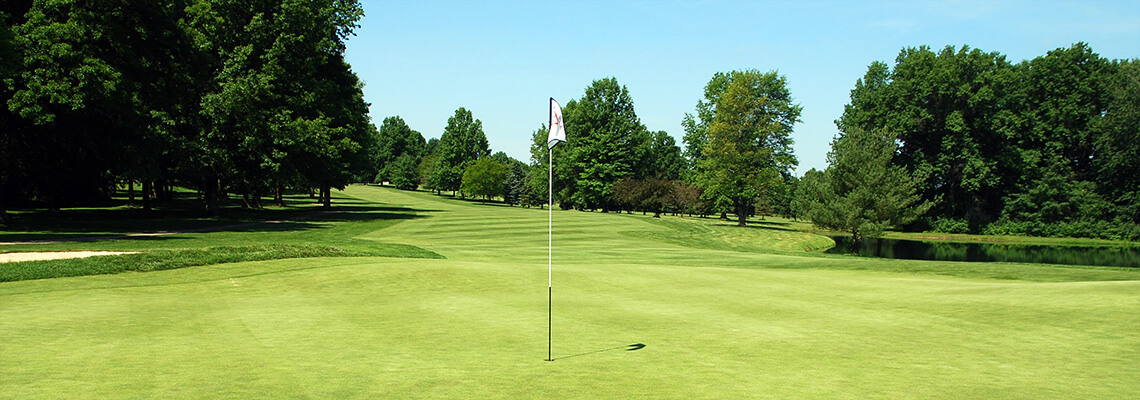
pixel 255 97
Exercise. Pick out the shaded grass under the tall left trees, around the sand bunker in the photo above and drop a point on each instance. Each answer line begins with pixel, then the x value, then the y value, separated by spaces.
pixel 188 240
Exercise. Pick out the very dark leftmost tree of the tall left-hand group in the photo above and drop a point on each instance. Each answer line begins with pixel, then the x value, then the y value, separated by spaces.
pixel 99 81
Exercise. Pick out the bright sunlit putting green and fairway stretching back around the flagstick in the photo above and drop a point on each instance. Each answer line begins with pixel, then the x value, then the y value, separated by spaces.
pixel 723 313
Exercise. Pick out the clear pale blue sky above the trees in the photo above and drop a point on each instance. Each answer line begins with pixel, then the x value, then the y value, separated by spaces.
pixel 504 60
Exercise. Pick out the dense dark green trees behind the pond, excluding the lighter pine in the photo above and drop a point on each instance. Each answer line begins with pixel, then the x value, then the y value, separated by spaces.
pixel 1045 142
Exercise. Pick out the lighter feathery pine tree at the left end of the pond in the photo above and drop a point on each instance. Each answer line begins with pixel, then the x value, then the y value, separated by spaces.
pixel 861 193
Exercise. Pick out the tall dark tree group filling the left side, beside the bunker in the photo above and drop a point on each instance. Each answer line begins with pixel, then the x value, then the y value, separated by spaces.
pixel 245 97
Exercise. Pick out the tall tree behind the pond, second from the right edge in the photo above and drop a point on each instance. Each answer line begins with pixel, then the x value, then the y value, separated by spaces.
pixel 1060 101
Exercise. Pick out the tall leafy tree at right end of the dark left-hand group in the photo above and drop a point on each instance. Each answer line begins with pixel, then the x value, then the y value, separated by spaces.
pixel 284 107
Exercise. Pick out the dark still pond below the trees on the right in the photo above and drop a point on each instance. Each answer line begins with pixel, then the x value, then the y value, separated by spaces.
pixel 989 252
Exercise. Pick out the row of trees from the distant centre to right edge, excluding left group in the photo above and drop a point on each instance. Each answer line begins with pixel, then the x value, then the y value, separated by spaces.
pixel 957 141
